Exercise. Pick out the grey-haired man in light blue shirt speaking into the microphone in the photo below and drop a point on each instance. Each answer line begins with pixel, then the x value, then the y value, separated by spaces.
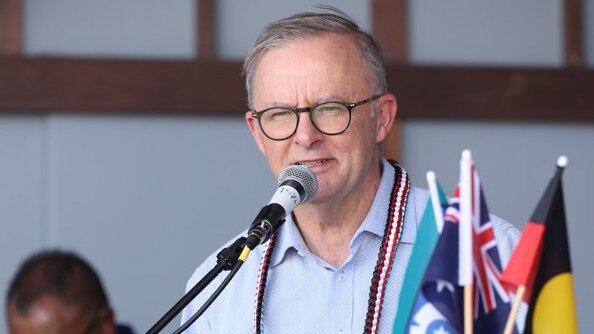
pixel 317 96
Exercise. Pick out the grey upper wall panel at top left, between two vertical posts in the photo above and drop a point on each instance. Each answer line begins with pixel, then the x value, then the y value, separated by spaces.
pixel 110 28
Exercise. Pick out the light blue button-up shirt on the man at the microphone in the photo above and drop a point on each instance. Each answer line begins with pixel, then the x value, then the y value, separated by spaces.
pixel 304 293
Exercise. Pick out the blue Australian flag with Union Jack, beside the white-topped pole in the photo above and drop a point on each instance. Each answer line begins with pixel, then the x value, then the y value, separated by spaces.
pixel 439 305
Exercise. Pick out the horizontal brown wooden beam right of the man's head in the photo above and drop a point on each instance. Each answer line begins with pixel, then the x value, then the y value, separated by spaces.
pixel 513 94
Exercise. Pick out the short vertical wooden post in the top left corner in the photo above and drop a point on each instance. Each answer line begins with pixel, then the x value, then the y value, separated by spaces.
pixel 11 13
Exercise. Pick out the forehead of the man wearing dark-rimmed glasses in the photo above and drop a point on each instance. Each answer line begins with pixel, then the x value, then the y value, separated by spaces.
pixel 311 68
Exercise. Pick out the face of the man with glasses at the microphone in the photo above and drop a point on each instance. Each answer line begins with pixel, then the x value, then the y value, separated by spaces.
pixel 304 73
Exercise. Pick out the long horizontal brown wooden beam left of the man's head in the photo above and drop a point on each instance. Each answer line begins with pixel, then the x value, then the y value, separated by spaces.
pixel 89 85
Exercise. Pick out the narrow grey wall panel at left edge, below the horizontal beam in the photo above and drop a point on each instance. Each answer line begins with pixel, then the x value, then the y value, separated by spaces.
pixel 22 205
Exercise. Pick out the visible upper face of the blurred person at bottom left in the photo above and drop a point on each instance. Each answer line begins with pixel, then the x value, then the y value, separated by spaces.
pixel 50 315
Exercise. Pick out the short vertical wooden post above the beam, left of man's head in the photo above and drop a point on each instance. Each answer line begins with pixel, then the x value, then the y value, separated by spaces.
pixel 206 29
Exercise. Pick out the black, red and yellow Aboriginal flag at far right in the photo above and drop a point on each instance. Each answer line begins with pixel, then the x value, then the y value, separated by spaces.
pixel 541 262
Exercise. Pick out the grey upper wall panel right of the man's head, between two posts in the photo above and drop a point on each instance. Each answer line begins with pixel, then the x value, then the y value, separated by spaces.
pixel 504 32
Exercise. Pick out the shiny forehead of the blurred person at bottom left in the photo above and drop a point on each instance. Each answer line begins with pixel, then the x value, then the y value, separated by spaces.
pixel 47 315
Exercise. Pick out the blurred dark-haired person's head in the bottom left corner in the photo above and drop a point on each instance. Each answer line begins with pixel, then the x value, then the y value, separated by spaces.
pixel 57 292
